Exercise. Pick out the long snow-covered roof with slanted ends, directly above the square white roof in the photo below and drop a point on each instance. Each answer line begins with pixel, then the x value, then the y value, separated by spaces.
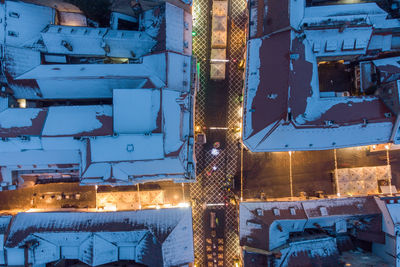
pixel 87 80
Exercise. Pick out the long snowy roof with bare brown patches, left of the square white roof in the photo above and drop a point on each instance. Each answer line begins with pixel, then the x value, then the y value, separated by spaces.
pixel 77 121
